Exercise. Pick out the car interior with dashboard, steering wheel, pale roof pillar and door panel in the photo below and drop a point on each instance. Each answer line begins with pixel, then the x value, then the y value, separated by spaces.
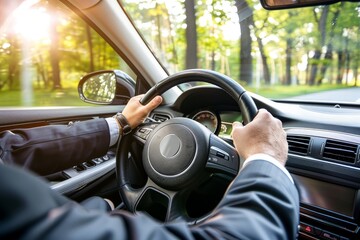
pixel 323 137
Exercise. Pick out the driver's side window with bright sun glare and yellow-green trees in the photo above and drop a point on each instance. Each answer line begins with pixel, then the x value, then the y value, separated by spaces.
pixel 44 51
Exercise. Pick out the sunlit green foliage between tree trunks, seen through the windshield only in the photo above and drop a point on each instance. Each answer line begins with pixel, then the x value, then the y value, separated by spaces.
pixel 289 39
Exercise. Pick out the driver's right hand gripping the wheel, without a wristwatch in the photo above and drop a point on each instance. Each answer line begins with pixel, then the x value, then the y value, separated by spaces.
pixel 262 135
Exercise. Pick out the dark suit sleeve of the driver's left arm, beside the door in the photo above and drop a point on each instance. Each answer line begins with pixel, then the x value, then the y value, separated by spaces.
pixel 53 148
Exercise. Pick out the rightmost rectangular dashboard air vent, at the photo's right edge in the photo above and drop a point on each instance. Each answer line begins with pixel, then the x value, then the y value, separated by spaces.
pixel 340 151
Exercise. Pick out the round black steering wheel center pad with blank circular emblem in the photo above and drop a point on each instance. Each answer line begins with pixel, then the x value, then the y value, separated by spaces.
pixel 172 157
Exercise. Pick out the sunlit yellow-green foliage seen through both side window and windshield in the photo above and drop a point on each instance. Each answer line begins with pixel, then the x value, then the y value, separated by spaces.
pixel 293 45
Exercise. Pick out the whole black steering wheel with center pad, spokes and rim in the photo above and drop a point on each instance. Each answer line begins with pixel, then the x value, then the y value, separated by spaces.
pixel 178 154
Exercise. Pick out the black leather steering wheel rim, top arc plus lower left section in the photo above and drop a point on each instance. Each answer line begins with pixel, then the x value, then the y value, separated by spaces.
pixel 235 90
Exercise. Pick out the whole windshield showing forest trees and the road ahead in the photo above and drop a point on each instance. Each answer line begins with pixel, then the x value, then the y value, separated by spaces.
pixel 297 54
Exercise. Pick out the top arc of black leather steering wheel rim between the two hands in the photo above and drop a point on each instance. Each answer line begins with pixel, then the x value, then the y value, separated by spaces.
pixel 234 89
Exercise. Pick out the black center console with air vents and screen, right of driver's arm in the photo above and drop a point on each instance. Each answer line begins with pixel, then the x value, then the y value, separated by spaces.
pixel 325 166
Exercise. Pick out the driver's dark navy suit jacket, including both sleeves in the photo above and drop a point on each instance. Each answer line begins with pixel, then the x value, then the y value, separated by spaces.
pixel 261 203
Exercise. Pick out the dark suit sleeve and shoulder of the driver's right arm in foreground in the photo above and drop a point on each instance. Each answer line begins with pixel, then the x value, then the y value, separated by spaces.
pixel 261 203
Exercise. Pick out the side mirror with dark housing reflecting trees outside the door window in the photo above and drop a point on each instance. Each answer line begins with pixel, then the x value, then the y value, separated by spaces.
pixel 106 87
